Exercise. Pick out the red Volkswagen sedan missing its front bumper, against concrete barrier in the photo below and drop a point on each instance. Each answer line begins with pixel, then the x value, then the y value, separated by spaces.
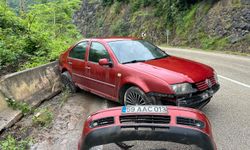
pixel 135 72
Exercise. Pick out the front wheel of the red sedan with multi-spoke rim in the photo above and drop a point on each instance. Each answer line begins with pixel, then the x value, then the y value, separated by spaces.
pixel 135 96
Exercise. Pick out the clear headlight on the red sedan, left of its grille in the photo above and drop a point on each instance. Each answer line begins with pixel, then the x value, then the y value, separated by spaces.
pixel 183 88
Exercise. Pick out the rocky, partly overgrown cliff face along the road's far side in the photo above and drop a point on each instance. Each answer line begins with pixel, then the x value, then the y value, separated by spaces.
pixel 225 19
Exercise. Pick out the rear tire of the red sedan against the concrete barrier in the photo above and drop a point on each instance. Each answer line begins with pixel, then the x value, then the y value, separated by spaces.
pixel 68 82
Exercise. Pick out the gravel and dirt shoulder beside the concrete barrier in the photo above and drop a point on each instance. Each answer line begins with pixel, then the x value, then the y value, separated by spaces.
pixel 65 129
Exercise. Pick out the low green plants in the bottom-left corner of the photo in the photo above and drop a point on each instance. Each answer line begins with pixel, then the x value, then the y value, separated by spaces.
pixel 10 143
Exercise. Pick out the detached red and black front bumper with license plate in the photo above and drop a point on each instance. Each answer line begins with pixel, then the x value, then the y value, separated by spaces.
pixel 121 125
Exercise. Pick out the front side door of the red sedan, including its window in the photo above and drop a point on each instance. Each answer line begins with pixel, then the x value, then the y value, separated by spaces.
pixel 101 78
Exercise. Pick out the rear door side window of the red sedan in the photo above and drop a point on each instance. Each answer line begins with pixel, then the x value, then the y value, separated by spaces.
pixel 79 51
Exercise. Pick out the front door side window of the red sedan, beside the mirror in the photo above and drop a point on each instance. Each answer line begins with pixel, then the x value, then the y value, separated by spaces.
pixel 97 51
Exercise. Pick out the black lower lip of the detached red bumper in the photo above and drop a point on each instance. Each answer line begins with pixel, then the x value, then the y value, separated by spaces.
pixel 114 134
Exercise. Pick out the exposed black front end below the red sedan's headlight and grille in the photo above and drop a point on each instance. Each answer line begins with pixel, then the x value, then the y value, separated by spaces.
pixel 197 100
